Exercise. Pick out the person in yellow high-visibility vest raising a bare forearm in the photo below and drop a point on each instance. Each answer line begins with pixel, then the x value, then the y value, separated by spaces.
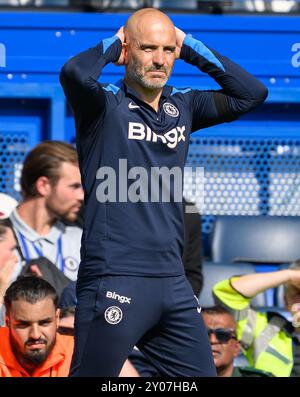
pixel 269 341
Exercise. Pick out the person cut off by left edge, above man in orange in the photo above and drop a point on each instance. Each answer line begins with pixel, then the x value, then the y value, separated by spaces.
pixel 8 261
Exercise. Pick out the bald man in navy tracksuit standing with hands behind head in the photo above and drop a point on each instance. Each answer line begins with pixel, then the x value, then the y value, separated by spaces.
pixel 131 137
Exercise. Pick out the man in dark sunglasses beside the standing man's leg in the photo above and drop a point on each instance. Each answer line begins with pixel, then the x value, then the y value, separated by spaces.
pixel 221 328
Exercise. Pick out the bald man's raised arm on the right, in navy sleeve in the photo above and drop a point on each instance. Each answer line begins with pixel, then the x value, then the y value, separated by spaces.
pixel 241 92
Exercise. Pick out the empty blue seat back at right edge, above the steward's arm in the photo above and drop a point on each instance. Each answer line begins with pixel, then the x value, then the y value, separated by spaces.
pixel 256 239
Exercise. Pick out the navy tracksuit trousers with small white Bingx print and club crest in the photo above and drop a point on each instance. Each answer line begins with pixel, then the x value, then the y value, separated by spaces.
pixel 159 315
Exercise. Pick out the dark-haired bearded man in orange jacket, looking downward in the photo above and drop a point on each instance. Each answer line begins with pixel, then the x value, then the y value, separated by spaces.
pixel 30 345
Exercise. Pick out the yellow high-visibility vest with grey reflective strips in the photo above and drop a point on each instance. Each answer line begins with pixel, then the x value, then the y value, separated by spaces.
pixel 265 343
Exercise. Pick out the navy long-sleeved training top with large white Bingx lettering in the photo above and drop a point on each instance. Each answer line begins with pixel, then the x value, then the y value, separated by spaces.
pixel 116 130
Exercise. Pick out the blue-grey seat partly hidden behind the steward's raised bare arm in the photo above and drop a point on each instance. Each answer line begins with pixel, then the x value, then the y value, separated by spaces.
pixel 215 272
